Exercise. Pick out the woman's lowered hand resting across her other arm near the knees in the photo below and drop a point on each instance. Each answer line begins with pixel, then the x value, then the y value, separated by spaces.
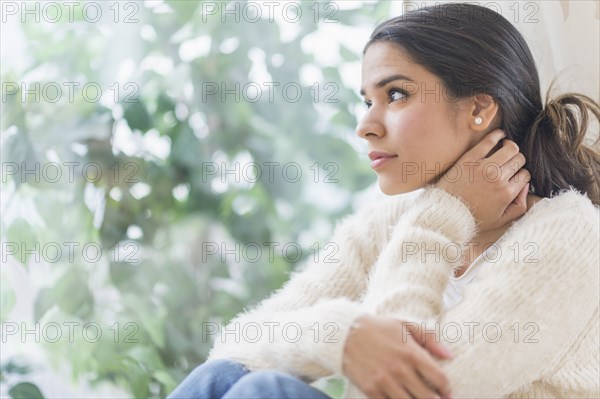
pixel 383 358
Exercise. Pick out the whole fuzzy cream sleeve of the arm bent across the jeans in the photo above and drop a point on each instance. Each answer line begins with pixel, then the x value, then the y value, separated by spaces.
pixel 302 327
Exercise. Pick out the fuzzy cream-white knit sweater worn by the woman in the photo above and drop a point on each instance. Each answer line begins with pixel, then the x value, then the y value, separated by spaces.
pixel 527 328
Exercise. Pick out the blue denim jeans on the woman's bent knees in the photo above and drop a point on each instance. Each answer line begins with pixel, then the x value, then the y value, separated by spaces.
pixel 227 379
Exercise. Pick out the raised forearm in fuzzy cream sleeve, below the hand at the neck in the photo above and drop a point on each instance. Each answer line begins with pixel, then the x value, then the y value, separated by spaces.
pixel 425 246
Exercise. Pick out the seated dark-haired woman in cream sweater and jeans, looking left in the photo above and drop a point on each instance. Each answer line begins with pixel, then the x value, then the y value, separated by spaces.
pixel 496 259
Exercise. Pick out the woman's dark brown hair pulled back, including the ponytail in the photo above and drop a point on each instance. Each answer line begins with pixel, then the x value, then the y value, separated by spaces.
pixel 473 49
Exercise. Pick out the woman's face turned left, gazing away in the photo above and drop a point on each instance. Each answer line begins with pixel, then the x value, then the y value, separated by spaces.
pixel 414 129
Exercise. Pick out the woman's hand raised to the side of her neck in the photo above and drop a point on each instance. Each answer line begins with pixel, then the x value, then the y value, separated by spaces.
pixel 494 187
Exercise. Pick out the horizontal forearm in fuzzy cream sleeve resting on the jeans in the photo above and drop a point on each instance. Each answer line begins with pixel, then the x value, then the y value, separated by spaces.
pixel 307 342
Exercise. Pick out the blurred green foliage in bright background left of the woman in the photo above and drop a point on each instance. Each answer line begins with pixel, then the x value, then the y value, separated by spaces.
pixel 151 210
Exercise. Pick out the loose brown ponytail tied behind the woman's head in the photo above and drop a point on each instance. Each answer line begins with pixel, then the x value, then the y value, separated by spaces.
pixel 556 154
